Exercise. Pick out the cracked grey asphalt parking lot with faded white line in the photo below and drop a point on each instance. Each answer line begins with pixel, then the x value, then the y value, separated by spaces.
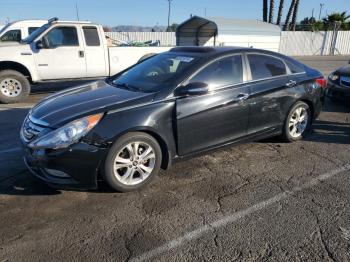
pixel 178 209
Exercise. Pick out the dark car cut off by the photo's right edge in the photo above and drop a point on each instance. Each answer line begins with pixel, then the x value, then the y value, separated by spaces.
pixel 339 83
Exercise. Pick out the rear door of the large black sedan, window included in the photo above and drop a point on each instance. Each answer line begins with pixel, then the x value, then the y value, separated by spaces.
pixel 269 83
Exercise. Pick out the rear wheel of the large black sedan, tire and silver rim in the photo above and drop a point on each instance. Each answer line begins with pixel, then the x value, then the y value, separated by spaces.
pixel 294 127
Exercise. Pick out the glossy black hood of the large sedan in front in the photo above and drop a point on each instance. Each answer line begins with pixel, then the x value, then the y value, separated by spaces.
pixel 86 99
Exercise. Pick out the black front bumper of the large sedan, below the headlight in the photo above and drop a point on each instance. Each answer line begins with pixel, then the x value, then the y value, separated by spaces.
pixel 75 167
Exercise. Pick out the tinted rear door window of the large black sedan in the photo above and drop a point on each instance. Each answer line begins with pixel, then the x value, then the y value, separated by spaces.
pixel 262 66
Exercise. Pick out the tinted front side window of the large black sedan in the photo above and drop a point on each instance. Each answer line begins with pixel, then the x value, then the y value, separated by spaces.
pixel 223 72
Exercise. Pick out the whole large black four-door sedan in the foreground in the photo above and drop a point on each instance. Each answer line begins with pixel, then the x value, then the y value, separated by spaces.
pixel 169 107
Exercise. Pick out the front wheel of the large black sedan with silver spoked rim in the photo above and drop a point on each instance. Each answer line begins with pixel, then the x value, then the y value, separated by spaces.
pixel 122 171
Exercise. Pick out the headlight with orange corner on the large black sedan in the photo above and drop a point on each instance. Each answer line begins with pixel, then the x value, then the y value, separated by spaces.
pixel 67 134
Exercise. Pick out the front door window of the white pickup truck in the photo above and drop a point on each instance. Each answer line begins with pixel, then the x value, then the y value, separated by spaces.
pixel 62 36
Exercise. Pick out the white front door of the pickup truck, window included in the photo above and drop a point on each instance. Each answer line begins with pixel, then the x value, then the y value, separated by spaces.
pixel 62 55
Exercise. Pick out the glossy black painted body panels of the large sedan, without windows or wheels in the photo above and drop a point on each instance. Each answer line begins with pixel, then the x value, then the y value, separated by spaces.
pixel 184 126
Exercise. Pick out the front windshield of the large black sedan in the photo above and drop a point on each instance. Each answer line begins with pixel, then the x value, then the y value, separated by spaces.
pixel 154 73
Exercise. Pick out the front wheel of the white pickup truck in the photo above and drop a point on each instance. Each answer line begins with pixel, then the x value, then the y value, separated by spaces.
pixel 14 86
